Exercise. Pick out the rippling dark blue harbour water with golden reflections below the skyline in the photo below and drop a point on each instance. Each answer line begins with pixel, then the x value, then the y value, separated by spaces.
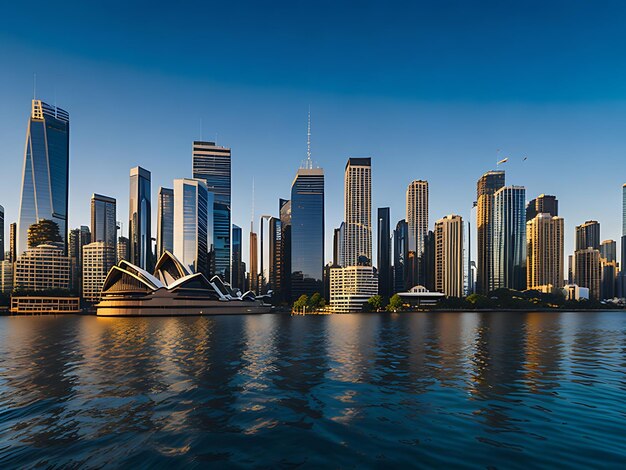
pixel 504 390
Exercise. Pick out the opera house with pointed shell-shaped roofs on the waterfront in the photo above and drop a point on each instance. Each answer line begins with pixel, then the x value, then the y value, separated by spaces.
pixel 172 290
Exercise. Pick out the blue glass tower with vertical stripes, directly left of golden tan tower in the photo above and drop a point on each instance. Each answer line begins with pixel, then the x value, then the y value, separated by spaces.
pixel 509 238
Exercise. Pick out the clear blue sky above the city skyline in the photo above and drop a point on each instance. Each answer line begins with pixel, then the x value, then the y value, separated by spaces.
pixel 429 90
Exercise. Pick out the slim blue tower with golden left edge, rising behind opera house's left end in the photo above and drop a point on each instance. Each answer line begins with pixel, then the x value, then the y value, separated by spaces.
pixel 140 219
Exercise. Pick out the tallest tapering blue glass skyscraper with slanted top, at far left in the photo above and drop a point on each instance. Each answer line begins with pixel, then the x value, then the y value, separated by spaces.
pixel 45 172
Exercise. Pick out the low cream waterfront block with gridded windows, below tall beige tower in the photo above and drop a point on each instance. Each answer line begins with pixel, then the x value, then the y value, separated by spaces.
pixel 351 287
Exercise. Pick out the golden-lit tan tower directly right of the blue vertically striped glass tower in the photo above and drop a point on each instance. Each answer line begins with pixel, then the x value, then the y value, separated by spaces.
pixel 545 251
